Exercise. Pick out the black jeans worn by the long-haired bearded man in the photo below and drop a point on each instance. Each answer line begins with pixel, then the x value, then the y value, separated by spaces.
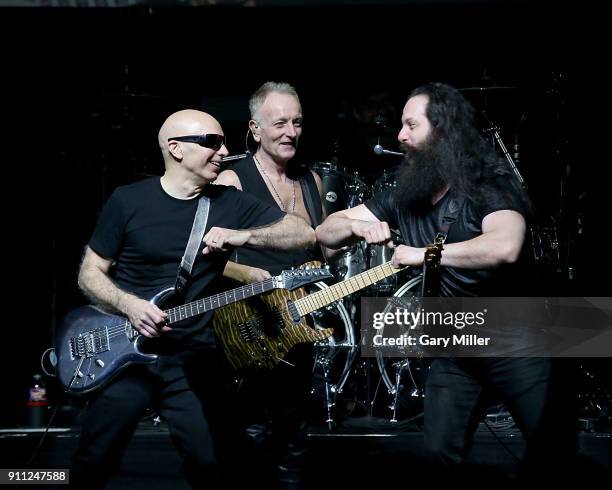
pixel 536 391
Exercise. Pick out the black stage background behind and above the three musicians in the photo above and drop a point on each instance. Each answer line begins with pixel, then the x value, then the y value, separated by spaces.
pixel 90 88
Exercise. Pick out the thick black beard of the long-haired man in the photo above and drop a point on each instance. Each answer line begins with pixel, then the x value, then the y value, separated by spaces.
pixel 419 177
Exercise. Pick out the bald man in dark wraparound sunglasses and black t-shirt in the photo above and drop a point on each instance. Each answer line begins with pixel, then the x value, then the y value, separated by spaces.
pixel 134 252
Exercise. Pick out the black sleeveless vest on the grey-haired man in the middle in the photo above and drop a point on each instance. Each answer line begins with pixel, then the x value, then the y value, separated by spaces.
pixel 275 261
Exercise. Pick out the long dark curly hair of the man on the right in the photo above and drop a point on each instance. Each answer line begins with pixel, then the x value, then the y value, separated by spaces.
pixel 471 165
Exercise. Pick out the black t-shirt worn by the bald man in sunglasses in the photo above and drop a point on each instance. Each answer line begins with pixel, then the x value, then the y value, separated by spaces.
pixel 145 232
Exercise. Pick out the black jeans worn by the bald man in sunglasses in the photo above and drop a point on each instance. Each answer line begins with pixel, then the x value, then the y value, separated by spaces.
pixel 189 397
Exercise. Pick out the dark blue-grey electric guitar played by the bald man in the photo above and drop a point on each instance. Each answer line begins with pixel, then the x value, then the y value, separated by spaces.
pixel 93 346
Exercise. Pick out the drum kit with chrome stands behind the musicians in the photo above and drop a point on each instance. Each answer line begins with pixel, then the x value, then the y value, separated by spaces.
pixel 337 361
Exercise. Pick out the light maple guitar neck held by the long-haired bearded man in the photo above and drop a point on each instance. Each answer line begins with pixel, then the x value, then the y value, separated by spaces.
pixel 322 298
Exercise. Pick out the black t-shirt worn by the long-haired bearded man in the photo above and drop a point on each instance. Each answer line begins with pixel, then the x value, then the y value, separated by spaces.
pixel 419 228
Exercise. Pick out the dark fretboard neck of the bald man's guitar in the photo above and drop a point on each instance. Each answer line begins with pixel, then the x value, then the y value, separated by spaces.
pixel 203 305
